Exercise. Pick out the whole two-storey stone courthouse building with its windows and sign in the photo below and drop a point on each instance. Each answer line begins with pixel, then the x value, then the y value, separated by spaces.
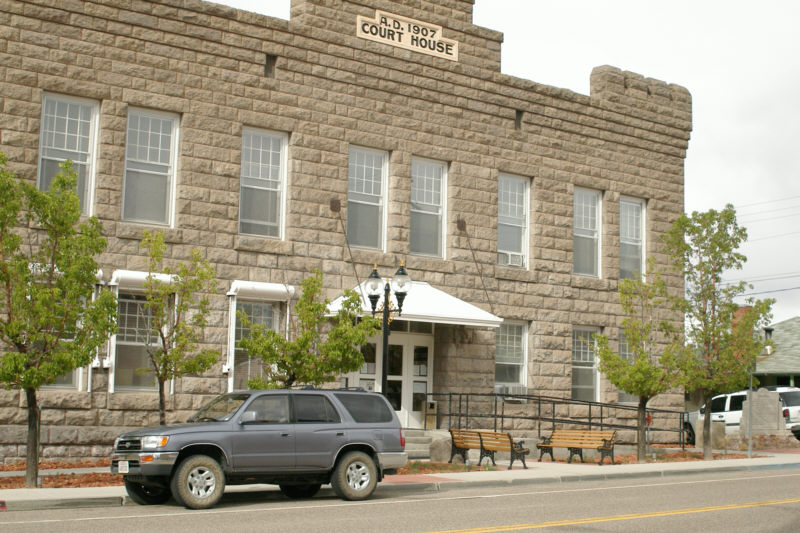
pixel 358 132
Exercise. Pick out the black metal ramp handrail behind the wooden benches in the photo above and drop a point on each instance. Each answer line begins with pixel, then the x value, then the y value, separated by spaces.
pixel 460 408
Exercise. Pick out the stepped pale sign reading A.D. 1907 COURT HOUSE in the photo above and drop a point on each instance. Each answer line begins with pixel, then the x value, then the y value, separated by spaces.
pixel 407 33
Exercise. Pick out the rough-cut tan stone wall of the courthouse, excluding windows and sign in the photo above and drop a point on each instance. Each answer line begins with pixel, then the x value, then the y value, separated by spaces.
pixel 330 90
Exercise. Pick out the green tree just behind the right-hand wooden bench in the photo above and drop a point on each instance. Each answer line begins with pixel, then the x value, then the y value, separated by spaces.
pixel 652 339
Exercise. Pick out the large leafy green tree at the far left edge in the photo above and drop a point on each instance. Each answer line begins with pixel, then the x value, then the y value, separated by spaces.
pixel 49 322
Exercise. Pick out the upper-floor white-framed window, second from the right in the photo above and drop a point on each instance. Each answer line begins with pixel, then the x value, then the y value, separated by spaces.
pixel 586 232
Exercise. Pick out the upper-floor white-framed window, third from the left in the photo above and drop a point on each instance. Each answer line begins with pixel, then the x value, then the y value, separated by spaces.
pixel 262 196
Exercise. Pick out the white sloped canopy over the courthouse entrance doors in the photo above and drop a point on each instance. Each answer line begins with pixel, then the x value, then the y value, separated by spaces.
pixel 424 303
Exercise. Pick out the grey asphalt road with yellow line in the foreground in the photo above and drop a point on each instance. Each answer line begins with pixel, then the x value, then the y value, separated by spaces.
pixel 764 501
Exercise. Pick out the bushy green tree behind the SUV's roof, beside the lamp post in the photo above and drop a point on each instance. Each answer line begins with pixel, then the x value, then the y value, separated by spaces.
pixel 309 356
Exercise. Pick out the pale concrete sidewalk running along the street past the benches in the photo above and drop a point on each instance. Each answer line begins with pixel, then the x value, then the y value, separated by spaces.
pixel 537 473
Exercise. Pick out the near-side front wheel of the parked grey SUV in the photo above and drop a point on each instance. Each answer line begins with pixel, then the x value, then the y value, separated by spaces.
pixel 198 482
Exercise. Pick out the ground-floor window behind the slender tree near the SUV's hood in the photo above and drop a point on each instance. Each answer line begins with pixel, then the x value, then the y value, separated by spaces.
pixel 135 334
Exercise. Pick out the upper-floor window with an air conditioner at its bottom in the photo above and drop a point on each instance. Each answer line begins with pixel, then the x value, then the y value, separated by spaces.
pixel 512 221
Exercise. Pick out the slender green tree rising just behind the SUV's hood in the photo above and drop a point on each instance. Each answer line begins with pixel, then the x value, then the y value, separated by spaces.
pixel 177 306
